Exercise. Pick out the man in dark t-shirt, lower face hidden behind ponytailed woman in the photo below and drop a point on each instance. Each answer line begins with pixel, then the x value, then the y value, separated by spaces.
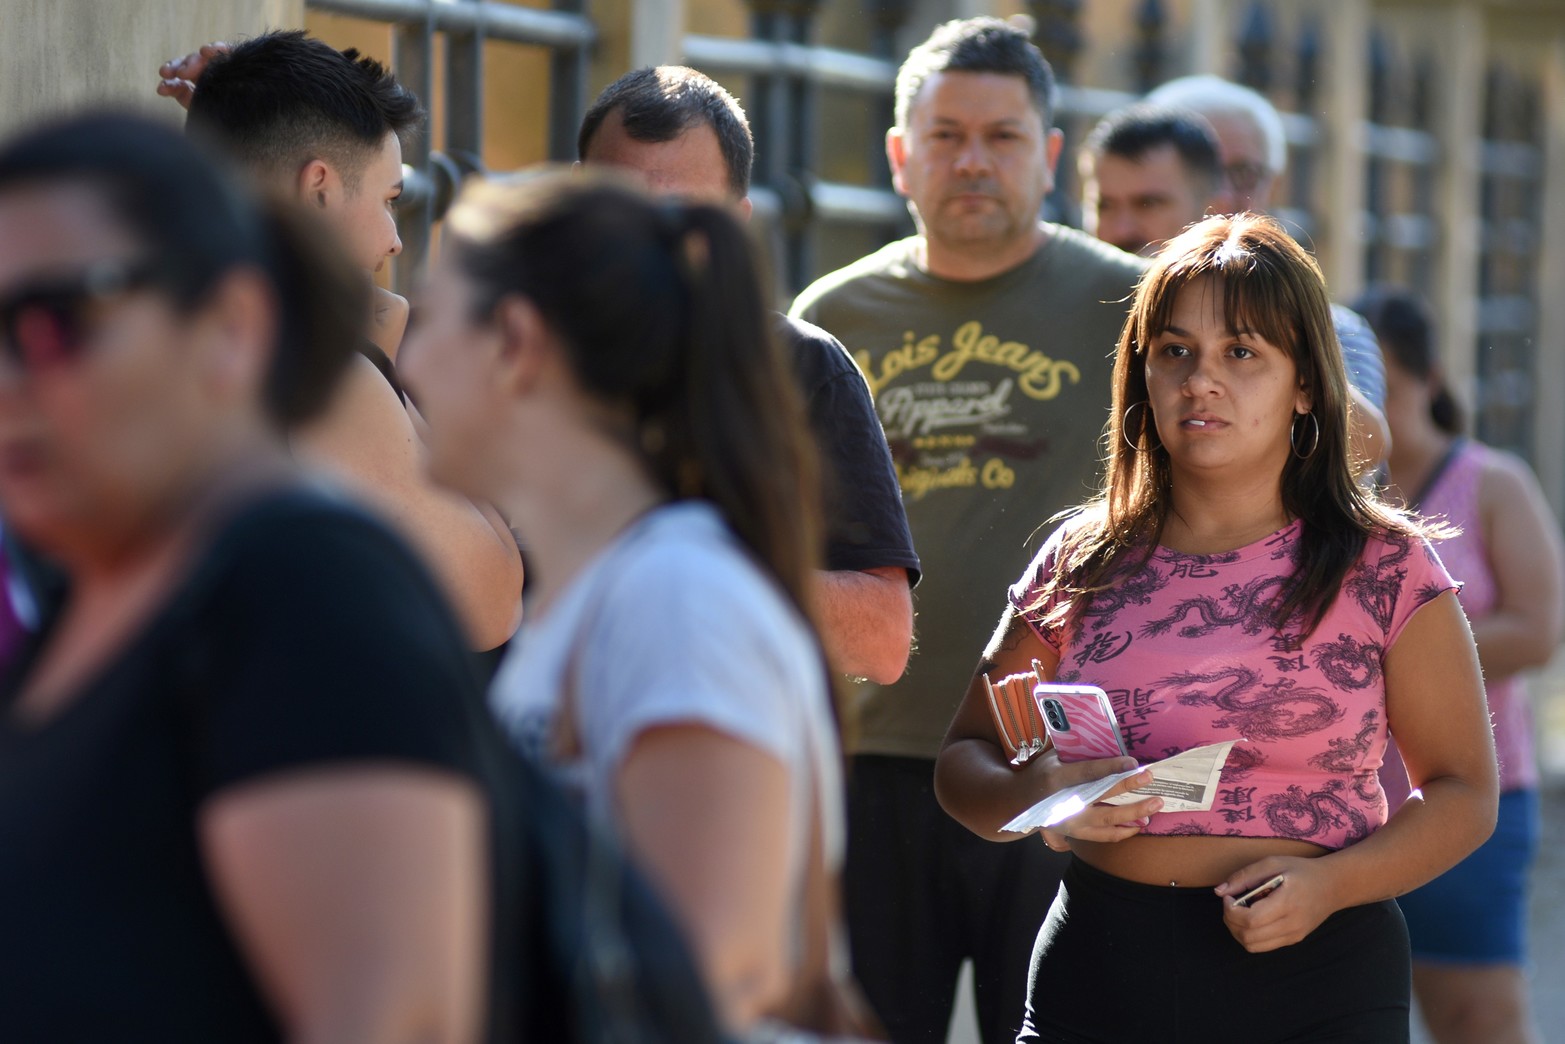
pixel 685 135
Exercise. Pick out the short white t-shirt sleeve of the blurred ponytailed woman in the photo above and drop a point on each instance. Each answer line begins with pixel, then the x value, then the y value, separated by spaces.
pixel 696 639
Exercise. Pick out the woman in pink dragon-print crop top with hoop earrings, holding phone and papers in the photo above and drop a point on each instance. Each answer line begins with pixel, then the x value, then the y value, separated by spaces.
pixel 1232 581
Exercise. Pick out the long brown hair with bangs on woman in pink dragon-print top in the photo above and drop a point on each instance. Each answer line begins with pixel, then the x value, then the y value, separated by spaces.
pixel 1275 289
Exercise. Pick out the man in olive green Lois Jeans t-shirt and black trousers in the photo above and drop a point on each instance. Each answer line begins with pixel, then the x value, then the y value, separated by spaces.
pixel 988 342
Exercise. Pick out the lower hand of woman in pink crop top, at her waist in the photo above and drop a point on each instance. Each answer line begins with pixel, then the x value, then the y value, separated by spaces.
pixel 1287 913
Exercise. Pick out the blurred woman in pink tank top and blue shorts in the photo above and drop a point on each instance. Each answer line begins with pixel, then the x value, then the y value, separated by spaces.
pixel 1469 926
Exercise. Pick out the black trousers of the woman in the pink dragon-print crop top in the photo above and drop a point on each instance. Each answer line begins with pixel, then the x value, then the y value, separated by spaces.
pixel 1123 962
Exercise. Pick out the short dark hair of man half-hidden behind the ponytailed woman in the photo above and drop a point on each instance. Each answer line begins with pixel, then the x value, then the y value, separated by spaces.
pixel 660 104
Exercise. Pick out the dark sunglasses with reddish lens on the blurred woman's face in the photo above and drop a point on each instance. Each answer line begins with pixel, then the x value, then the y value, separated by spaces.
pixel 45 323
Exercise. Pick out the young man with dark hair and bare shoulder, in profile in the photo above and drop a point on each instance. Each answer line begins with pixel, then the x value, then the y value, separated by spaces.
pixel 326 128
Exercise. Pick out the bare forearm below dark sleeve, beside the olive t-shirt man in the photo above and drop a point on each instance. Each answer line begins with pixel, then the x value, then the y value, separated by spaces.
pixel 866 622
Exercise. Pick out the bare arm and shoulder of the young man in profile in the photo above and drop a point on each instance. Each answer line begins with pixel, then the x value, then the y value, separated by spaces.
pixel 367 441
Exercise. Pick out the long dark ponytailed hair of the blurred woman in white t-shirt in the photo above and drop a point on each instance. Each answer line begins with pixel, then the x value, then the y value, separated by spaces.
pixel 661 312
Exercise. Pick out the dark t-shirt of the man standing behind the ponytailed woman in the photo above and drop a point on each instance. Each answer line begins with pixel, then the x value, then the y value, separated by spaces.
pixel 866 524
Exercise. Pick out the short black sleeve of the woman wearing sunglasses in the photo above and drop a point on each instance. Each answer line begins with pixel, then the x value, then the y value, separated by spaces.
pixel 326 643
